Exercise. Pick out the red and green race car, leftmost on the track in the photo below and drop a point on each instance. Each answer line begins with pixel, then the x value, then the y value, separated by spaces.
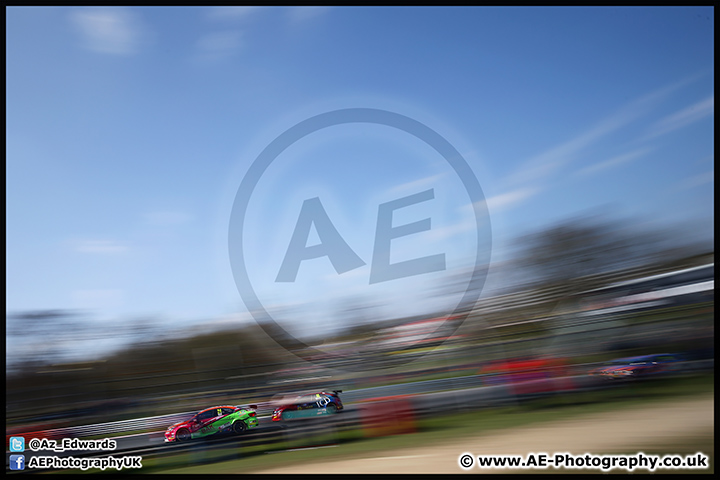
pixel 223 419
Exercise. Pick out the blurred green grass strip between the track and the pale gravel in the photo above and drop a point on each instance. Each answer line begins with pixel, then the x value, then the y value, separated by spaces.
pixel 353 444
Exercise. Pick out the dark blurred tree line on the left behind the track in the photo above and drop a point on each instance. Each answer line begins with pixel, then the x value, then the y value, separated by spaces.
pixel 234 363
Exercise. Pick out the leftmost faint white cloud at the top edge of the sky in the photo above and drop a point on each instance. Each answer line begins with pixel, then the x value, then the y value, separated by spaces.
pixel 115 31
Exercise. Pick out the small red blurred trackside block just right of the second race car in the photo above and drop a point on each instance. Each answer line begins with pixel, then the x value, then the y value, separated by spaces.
pixel 388 416
